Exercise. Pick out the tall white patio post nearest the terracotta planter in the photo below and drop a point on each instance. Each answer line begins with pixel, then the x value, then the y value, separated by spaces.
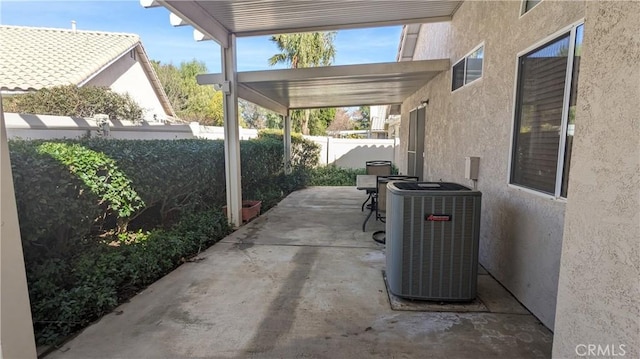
pixel 231 134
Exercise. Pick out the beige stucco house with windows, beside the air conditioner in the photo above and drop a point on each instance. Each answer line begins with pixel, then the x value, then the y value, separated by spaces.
pixel 546 95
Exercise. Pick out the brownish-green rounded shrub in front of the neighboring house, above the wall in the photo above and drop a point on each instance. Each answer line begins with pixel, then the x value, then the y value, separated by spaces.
pixel 76 101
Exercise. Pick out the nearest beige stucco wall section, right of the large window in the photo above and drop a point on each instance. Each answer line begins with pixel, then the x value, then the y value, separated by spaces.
pixel 599 290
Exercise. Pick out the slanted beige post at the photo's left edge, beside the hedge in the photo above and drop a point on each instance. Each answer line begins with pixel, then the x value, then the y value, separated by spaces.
pixel 16 328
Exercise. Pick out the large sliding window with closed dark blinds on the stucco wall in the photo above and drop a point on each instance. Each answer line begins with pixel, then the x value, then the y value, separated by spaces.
pixel 545 114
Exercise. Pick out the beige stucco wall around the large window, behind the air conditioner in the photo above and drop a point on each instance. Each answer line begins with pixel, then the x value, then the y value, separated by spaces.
pixel 521 232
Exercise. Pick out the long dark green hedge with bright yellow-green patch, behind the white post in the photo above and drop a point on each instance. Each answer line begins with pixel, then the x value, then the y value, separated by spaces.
pixel 67 188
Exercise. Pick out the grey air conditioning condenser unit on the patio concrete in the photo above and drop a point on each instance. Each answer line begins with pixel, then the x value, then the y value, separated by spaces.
pixel 432 237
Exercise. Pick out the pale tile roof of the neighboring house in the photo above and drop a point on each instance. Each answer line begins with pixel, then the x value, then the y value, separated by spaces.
pixel 32 58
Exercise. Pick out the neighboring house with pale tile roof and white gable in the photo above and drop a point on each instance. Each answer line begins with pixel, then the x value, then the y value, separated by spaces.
pixel 33 58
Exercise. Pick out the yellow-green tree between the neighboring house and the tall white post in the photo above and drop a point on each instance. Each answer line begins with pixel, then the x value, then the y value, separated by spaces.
pixel 192 102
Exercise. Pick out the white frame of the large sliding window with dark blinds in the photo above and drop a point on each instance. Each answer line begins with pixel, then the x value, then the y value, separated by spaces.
pixel 572 30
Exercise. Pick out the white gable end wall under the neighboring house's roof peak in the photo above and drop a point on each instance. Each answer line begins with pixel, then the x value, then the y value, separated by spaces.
pixel 126 75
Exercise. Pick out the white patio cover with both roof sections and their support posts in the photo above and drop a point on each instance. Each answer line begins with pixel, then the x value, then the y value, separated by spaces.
pixel 282 90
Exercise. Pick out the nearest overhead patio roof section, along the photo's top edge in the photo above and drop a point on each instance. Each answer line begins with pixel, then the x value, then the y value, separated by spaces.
pixel 217 19
